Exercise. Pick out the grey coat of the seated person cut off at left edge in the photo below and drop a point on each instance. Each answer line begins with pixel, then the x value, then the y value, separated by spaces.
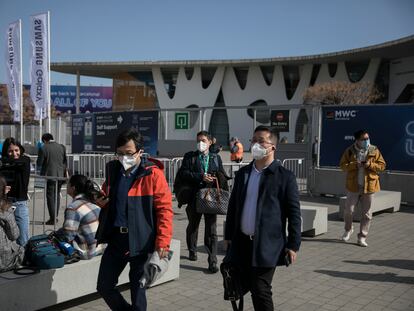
pixel 11 254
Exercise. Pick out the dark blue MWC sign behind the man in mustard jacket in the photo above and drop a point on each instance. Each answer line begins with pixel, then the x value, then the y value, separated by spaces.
pixel 391 129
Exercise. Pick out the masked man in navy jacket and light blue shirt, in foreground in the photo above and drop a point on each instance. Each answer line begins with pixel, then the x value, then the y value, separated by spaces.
pixel 264 198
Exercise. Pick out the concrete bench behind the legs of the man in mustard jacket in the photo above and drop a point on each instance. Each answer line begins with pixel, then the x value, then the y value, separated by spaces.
pixel 382 201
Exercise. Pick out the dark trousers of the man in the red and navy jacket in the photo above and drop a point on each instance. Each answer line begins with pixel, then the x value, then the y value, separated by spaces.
pixel 113 262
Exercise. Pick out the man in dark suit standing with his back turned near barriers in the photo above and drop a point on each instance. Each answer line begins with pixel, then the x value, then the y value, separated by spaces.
pixel 52 161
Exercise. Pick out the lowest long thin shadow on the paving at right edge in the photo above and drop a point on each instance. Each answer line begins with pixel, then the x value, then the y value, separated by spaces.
pixel 374 277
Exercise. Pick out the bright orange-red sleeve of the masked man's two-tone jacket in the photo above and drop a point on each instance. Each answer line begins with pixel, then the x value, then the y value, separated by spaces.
pixel 163 209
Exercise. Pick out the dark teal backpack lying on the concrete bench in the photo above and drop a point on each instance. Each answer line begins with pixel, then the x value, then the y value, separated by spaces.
pixel 42 253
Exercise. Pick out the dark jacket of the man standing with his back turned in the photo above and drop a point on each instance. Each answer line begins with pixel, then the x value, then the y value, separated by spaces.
pixel 52 160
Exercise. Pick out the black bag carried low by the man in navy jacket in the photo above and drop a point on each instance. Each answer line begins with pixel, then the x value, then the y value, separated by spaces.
pixel 234 287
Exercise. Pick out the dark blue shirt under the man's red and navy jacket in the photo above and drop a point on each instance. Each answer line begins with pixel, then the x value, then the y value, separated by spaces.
pixel 125 183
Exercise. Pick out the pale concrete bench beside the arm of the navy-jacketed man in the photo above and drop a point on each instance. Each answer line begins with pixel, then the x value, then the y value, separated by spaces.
pixel 314 220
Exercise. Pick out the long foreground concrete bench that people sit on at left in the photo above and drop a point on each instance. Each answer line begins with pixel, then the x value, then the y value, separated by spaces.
pixel 50 287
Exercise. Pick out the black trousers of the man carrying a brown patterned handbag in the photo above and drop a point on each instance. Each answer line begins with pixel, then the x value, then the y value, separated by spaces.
pixel 210 232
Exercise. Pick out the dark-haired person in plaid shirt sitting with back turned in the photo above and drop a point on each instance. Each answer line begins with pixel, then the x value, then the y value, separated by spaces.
pixel 82 217
